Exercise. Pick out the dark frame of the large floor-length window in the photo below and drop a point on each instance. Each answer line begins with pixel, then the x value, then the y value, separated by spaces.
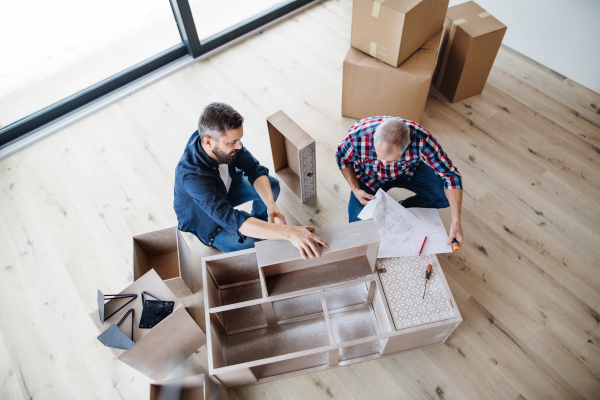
pixel 191 45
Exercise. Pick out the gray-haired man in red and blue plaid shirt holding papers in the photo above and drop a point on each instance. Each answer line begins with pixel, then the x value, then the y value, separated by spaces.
pixel 388 152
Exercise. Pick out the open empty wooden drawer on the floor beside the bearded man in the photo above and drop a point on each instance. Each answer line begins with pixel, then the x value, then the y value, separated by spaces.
pixel 166 252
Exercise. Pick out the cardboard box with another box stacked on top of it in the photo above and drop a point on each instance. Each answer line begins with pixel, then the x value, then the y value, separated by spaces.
pixel 372 88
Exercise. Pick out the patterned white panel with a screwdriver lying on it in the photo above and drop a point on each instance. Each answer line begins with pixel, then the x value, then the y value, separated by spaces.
pixel 403 284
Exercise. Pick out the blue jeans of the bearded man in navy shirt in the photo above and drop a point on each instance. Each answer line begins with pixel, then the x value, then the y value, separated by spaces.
pixel 240 192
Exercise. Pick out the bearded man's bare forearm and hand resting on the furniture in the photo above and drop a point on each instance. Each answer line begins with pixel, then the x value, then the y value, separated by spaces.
pixel 300 236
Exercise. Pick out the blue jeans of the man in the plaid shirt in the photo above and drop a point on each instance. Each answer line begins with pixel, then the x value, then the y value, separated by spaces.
pixel 428 188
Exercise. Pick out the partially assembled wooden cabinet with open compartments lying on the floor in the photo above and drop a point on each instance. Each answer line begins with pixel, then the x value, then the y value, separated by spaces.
pixel 271 315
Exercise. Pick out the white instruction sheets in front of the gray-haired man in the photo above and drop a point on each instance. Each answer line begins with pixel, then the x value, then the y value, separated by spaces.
pixel 406 244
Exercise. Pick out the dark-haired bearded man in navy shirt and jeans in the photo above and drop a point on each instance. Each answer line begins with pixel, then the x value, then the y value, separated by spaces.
pixel 215 174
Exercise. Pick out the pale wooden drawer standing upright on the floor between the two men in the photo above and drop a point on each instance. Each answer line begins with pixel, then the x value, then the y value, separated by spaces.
pixel 293 155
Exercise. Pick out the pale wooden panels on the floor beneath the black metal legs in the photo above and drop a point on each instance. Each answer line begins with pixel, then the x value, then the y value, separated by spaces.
pixel 159 350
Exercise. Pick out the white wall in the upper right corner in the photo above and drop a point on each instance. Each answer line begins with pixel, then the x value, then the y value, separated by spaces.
pixel 563 35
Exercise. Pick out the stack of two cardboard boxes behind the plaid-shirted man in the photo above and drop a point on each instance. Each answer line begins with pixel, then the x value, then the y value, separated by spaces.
pixel 403 34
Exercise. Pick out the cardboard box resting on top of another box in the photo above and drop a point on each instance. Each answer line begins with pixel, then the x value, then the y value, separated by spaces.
pixel 392 30
